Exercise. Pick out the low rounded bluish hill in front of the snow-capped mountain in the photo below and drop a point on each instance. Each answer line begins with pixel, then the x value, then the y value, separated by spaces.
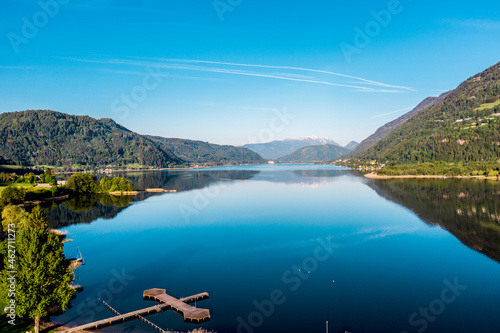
pixel 315 154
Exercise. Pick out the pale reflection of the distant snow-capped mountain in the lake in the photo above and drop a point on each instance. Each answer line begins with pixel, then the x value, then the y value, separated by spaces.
pixel 308 178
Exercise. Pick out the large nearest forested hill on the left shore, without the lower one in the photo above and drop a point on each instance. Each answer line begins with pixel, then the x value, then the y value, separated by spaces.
pixel 43 137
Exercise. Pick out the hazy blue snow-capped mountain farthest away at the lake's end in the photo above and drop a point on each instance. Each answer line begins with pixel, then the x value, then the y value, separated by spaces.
pixel 275 149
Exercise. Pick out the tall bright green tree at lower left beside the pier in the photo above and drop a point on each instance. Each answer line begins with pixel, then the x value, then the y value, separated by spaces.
pixel 43 276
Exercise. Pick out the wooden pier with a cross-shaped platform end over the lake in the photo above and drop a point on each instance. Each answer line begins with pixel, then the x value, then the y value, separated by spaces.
pixel 167 302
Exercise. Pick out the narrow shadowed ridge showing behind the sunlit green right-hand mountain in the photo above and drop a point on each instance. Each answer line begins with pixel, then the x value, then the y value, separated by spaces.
pixel 386 129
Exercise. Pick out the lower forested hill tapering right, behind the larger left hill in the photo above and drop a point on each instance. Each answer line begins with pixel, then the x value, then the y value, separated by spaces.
pixel 199 152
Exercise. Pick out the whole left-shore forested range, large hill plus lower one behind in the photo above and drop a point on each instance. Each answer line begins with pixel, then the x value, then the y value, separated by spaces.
pixel 44 137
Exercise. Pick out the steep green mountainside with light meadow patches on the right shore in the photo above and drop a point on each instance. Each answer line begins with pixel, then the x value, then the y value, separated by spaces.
pixel 461 128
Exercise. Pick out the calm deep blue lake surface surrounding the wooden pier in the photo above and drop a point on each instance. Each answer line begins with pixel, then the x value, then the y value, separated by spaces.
pixel 287 248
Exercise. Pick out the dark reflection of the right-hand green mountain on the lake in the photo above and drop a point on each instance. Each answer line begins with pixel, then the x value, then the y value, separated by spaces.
pixel 469 210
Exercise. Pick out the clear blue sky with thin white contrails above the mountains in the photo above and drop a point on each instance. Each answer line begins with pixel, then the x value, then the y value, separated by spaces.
pixel 240 71
